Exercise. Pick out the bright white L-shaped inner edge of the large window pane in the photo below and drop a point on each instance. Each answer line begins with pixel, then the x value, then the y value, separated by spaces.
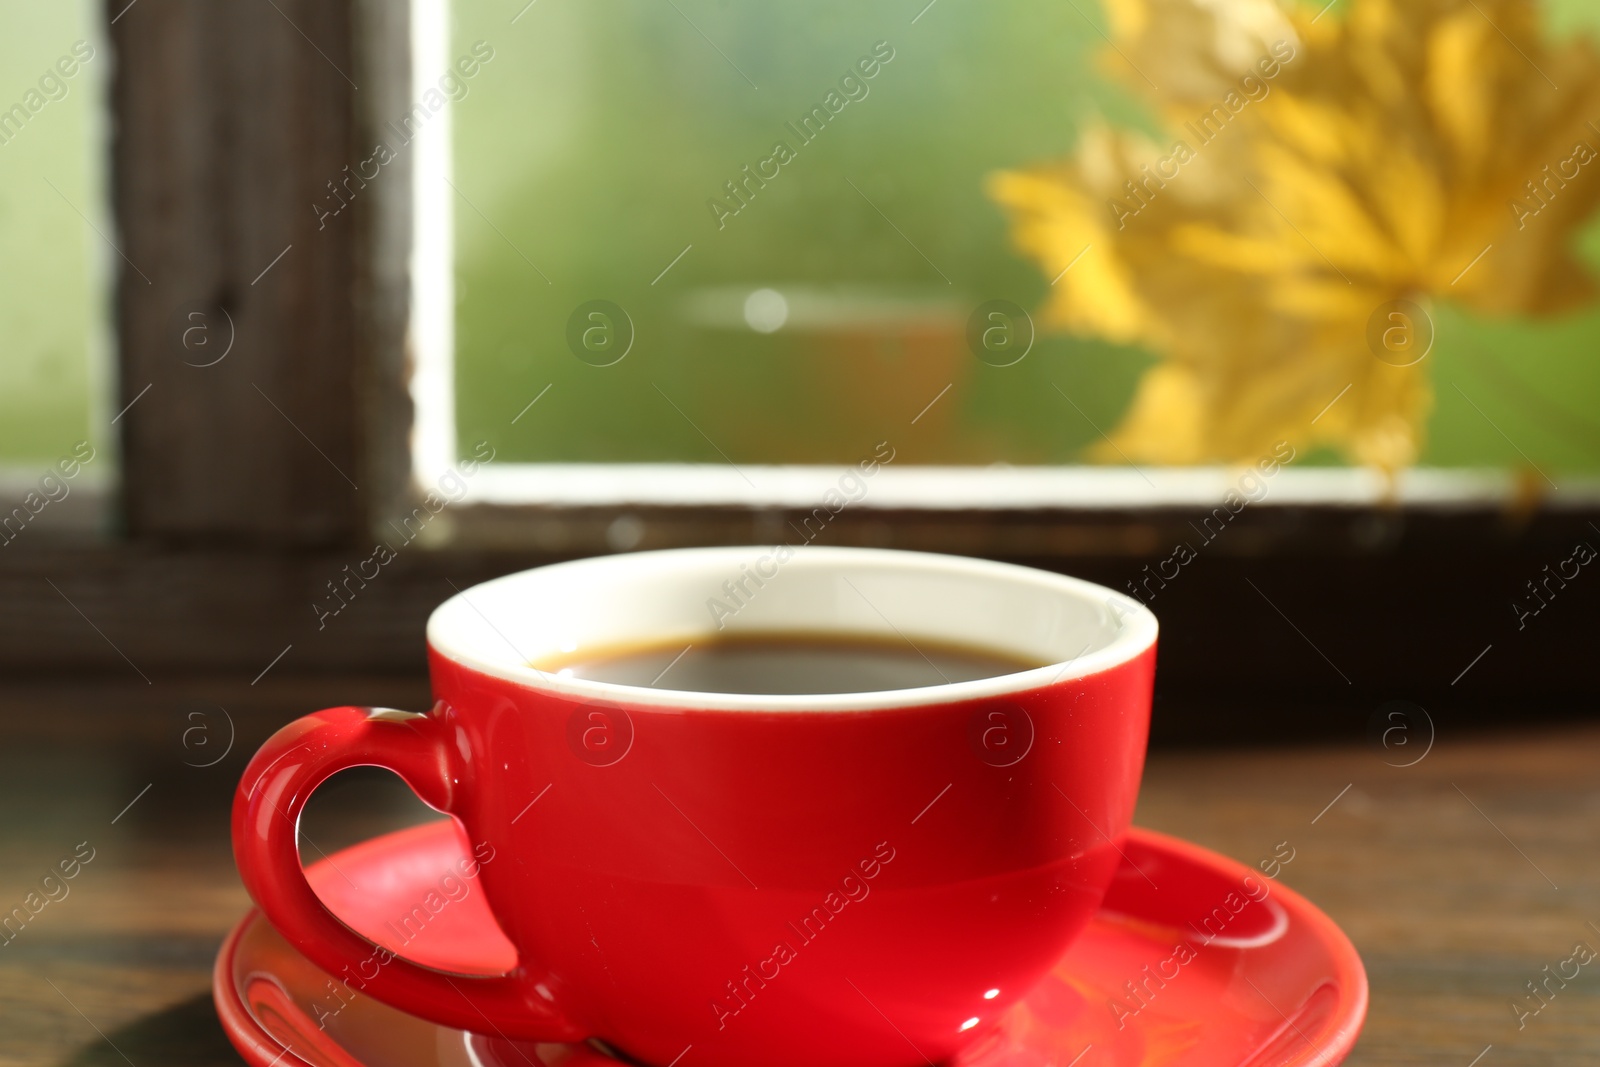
pixel 998 487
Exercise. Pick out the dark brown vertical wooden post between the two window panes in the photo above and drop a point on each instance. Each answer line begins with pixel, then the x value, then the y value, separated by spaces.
pixel 254 268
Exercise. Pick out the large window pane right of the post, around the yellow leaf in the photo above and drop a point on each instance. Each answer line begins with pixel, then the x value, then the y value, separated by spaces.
pixel 798 257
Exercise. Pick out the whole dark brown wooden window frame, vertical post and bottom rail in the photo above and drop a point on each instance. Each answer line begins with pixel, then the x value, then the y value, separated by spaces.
pixel 239 506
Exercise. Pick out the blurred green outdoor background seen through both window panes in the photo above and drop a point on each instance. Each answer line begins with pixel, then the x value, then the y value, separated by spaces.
pixel 585 156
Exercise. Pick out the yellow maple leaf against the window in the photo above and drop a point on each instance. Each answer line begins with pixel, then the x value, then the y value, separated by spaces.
pixel 1319 183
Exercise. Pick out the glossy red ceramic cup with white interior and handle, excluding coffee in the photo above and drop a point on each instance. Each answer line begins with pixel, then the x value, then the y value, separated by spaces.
pixel 727 881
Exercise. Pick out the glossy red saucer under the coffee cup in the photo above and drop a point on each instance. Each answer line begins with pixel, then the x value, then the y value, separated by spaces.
pixel 1183 965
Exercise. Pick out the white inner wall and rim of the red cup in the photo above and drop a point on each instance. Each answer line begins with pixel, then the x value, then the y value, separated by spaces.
pixel 681 596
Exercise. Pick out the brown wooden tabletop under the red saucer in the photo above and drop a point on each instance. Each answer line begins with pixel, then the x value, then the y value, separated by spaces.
pixel 1444 874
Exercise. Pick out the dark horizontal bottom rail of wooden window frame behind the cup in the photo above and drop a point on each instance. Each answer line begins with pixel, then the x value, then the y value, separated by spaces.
pixel 1322 633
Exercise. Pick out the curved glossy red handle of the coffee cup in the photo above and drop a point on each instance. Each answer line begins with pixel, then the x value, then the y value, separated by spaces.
pixel 266 821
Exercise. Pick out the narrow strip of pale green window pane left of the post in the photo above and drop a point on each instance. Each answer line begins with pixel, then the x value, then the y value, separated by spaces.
pixel 52 169
